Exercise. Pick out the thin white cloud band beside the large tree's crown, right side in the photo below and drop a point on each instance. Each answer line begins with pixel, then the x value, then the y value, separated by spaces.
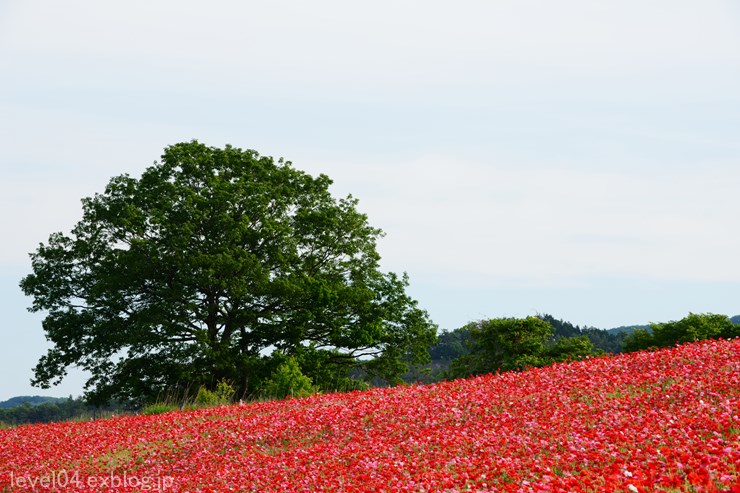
pixel 491 223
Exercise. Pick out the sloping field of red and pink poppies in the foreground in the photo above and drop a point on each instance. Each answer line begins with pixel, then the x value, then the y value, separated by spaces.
pixel 651 421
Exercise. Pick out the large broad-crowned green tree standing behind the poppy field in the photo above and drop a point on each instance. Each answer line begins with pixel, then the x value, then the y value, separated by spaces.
pixel 210 261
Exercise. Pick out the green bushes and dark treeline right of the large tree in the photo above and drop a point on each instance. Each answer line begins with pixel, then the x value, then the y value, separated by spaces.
pixel 506 344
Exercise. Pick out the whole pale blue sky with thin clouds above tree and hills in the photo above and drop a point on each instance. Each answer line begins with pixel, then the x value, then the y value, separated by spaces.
pixel 578 158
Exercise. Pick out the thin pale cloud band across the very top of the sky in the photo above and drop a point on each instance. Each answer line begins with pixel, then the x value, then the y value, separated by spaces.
pixel 398 45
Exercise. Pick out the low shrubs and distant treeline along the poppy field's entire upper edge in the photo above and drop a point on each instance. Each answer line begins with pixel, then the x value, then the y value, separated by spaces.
pixel 484 346
